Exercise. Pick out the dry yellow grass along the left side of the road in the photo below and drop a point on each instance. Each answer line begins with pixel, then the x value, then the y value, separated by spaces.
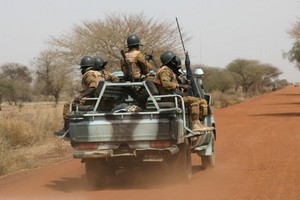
pixel 26 136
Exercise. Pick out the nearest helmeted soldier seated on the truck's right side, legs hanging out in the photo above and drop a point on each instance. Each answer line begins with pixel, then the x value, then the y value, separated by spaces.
pixel 166 78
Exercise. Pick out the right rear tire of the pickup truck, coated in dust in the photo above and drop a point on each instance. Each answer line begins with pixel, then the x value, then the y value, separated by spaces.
pixel 183 164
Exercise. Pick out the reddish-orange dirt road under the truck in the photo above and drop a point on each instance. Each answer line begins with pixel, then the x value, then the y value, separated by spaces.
pixel 257 158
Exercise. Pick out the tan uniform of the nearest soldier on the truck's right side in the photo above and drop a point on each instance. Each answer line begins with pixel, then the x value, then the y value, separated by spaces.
pixel 166 81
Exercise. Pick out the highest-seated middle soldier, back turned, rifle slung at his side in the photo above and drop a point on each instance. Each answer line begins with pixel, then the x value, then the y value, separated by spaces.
pixel 138 60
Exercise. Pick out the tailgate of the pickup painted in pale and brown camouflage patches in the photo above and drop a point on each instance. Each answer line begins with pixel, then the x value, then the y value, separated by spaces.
pixel 124 127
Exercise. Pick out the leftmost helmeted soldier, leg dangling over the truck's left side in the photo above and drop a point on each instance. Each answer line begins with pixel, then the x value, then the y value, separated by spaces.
pixel 90 79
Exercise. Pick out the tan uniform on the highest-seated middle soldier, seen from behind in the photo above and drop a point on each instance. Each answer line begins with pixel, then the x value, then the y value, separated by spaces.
pixel 140 66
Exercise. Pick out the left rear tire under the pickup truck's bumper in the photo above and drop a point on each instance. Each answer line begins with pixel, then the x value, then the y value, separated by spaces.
pixel 96 172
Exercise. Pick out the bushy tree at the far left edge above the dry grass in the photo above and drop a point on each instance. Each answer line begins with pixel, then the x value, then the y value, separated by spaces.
pixel 16 79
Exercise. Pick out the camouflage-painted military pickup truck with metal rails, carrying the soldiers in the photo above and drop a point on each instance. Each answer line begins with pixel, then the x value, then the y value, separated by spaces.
pixel 108 138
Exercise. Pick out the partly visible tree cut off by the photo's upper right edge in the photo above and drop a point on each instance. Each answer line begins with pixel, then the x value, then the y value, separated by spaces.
pixel 293 55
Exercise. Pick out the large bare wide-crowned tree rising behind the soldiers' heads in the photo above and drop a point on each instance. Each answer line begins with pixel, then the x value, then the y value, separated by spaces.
pixel 107 38
